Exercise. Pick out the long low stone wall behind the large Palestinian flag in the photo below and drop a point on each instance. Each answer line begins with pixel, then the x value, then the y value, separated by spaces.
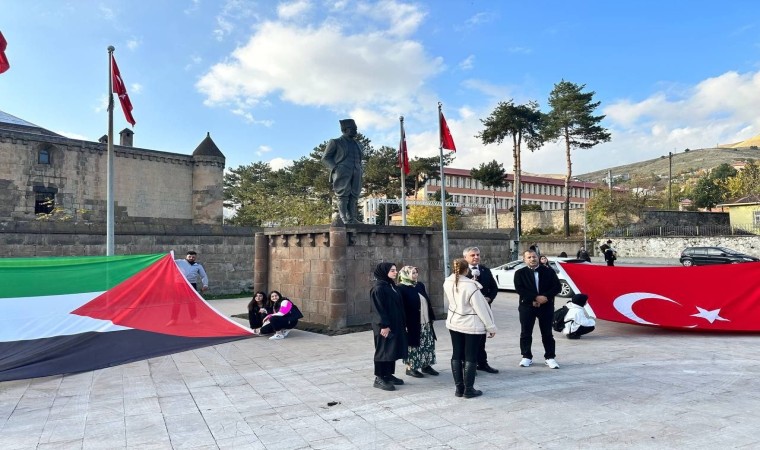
pixel 225 252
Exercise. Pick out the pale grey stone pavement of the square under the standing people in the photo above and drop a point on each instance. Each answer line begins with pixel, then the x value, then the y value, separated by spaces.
pixel 622 386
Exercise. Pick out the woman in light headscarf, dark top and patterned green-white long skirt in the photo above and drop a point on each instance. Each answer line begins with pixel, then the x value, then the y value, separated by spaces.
pixel 419 323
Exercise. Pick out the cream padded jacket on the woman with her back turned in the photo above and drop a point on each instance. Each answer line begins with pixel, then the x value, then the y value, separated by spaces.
pixel 469 311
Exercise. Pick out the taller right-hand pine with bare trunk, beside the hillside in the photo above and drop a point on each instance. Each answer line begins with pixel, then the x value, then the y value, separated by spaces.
pixel 571 119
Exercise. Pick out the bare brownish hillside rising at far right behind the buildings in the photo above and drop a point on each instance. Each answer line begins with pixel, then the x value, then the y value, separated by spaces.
pixel 683 162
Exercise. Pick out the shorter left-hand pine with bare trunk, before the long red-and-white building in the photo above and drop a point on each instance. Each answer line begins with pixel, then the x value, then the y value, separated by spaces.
pixel 521 123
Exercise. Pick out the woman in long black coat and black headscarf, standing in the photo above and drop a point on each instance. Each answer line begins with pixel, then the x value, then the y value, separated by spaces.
pixel 388 327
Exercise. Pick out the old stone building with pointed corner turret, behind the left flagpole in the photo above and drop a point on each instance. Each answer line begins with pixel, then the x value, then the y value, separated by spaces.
pixel 42 172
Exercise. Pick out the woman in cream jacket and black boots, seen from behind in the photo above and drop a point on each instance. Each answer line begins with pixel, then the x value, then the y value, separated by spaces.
pixel 469 318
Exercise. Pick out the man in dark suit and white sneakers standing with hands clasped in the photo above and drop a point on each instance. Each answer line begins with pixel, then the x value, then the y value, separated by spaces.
pixel 537 286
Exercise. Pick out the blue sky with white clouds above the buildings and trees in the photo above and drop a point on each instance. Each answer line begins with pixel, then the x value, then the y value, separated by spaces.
pixel 270 80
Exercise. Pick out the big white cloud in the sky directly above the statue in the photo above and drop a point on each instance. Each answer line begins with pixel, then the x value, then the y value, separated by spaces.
pixel 327 66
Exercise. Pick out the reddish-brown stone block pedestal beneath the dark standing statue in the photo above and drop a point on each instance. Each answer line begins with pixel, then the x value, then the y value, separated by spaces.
pixel 328 270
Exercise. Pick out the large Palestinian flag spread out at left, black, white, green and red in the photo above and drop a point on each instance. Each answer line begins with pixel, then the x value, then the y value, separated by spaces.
pixel 63 315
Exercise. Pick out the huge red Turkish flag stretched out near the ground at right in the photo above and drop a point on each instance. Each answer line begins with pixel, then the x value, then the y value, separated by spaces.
pixel 705 298
